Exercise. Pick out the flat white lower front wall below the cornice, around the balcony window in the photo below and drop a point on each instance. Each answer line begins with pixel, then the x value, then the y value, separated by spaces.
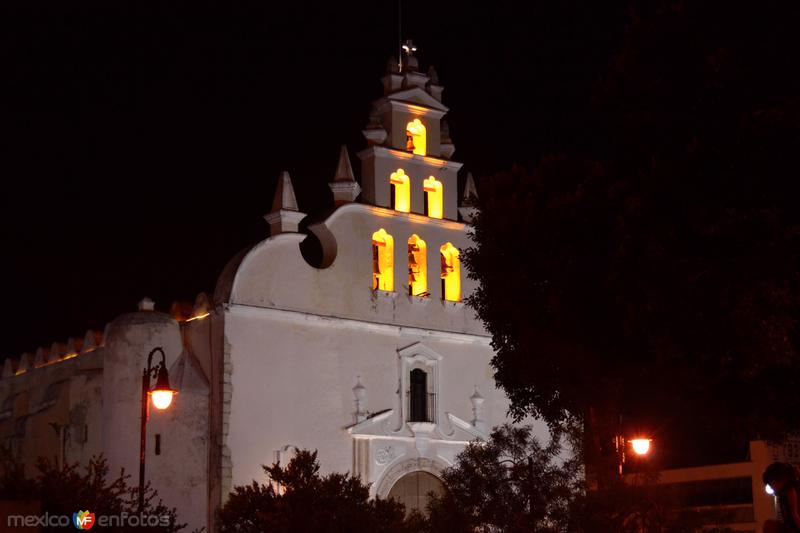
pixel 293 377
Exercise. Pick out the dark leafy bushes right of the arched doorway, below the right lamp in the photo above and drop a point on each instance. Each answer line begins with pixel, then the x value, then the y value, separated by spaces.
pixel 514 483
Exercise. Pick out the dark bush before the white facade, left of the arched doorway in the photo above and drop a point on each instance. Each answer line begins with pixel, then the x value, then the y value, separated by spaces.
pixel 298 499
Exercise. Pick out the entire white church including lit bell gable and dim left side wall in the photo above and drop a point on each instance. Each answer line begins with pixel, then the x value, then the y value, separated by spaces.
pixel 344 332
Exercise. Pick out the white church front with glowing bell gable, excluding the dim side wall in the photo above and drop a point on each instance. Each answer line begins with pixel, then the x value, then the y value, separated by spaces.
pixel 351 336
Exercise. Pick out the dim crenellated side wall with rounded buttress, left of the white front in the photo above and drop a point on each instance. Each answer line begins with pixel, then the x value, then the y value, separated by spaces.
pixel 82 399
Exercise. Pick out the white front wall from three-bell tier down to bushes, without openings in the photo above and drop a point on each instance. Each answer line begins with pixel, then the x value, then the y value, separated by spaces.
pixel 297 337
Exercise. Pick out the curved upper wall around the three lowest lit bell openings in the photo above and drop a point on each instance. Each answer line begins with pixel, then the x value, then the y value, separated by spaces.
pixel 275 275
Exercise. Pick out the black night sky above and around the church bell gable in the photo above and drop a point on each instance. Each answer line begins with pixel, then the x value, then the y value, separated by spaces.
pixel 144 139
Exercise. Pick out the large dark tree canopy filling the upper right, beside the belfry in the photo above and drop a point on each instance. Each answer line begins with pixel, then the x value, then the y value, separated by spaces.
pixel 655 271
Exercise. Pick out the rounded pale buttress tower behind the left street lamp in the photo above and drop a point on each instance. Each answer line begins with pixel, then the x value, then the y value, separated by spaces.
pixel 180 472
